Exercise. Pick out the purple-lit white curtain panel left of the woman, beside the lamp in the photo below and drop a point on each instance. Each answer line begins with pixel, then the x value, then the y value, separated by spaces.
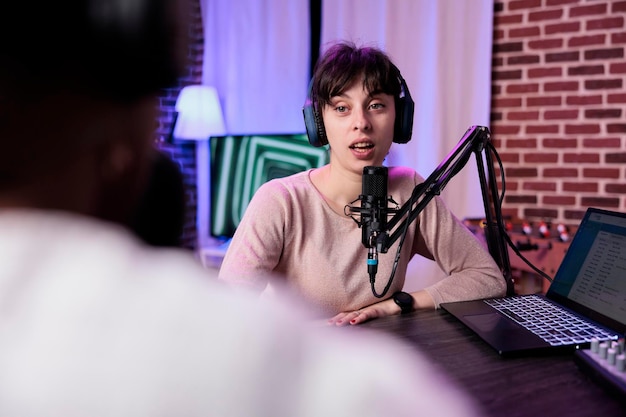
pixel 256 54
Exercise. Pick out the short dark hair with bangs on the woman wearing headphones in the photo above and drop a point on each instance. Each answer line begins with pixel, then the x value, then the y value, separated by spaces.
pixel 343 62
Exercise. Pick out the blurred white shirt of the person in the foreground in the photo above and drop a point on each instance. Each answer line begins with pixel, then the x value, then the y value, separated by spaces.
pixel 94 324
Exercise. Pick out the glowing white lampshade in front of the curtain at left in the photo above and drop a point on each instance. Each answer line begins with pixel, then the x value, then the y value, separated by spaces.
pixel 199 114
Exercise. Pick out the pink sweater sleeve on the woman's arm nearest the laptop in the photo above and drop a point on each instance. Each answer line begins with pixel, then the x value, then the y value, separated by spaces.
pixel 471 271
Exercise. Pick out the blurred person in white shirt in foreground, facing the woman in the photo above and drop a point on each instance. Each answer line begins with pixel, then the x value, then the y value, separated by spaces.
pixel 95 323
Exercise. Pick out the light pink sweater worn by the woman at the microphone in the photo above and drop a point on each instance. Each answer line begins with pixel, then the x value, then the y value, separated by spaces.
pixel 290 234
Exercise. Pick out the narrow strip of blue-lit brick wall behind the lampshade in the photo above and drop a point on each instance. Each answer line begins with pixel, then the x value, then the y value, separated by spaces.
pixel 184 152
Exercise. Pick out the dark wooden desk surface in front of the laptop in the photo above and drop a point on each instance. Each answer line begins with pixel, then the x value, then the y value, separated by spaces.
pixel 527 386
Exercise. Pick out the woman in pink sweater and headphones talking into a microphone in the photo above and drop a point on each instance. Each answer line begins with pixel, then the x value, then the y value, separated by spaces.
pixel 296 227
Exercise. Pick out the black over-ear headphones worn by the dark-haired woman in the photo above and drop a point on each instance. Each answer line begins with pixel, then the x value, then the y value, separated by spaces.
pixel 403 125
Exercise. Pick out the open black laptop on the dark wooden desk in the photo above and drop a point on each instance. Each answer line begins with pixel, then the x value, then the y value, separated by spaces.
pixel 588 294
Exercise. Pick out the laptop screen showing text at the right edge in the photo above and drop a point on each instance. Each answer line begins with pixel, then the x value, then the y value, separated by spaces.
pixel 592 276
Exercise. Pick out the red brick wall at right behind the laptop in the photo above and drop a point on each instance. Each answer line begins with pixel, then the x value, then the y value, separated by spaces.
pixel 559 106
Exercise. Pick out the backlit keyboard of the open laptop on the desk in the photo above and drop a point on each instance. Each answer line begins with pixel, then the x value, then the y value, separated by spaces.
pixel 550 322
